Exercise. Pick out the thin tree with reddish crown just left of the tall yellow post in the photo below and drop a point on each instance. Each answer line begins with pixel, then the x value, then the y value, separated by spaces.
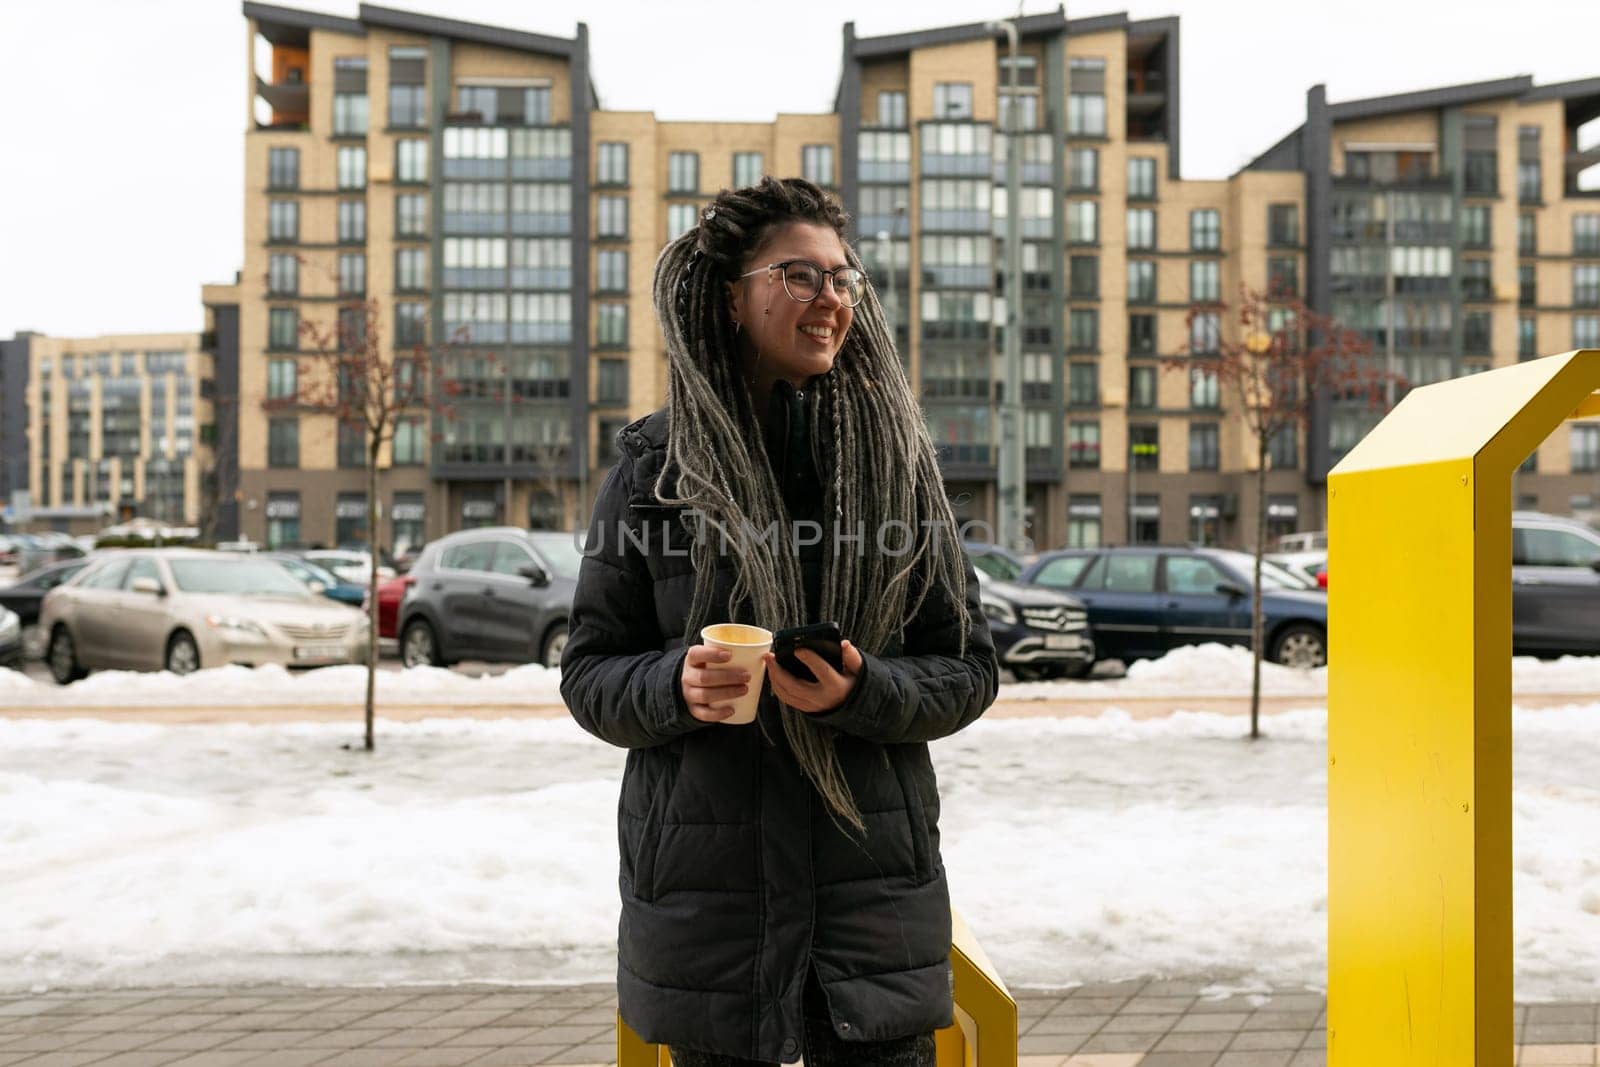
pixel 1284 358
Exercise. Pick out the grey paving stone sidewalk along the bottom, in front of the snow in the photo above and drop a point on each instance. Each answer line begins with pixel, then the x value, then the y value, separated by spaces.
pixel 1121 1025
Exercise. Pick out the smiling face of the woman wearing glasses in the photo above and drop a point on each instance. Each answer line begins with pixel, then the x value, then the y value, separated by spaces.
pixel 780 337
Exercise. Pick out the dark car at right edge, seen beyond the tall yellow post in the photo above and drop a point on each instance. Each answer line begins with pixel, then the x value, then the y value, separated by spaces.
pixel 1556 586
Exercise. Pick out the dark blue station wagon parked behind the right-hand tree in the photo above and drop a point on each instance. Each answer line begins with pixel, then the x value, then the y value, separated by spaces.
pixel 1148 601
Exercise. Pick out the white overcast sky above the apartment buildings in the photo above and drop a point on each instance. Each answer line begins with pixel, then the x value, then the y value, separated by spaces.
pixel 122 121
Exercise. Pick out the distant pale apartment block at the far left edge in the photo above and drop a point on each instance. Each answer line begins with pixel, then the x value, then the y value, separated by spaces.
pixel 106 428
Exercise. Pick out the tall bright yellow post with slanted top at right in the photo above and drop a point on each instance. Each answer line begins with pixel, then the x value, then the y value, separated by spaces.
pixel 1420 940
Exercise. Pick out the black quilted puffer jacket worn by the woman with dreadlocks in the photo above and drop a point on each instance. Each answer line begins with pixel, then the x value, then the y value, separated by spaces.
pixel 735 879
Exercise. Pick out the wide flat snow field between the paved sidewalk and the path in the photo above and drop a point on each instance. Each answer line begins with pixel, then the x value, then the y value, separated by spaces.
pixel 463 850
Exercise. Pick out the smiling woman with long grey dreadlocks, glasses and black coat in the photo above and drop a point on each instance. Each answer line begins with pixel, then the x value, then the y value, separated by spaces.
pixel 782 882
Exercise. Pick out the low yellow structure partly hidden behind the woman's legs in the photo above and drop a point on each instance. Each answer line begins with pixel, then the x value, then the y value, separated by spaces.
pixel 985 1029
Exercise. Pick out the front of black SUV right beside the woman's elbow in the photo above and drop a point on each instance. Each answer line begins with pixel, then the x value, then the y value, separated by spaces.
pixel 1038 633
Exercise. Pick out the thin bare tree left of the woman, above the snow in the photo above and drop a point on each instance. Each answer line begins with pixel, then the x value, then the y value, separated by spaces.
pixel 348 375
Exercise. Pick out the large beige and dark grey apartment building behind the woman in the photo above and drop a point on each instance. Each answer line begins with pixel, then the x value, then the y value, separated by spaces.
pixel 465 178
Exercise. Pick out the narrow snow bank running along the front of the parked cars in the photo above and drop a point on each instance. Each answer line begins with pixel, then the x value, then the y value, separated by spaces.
pixel 1201 671
